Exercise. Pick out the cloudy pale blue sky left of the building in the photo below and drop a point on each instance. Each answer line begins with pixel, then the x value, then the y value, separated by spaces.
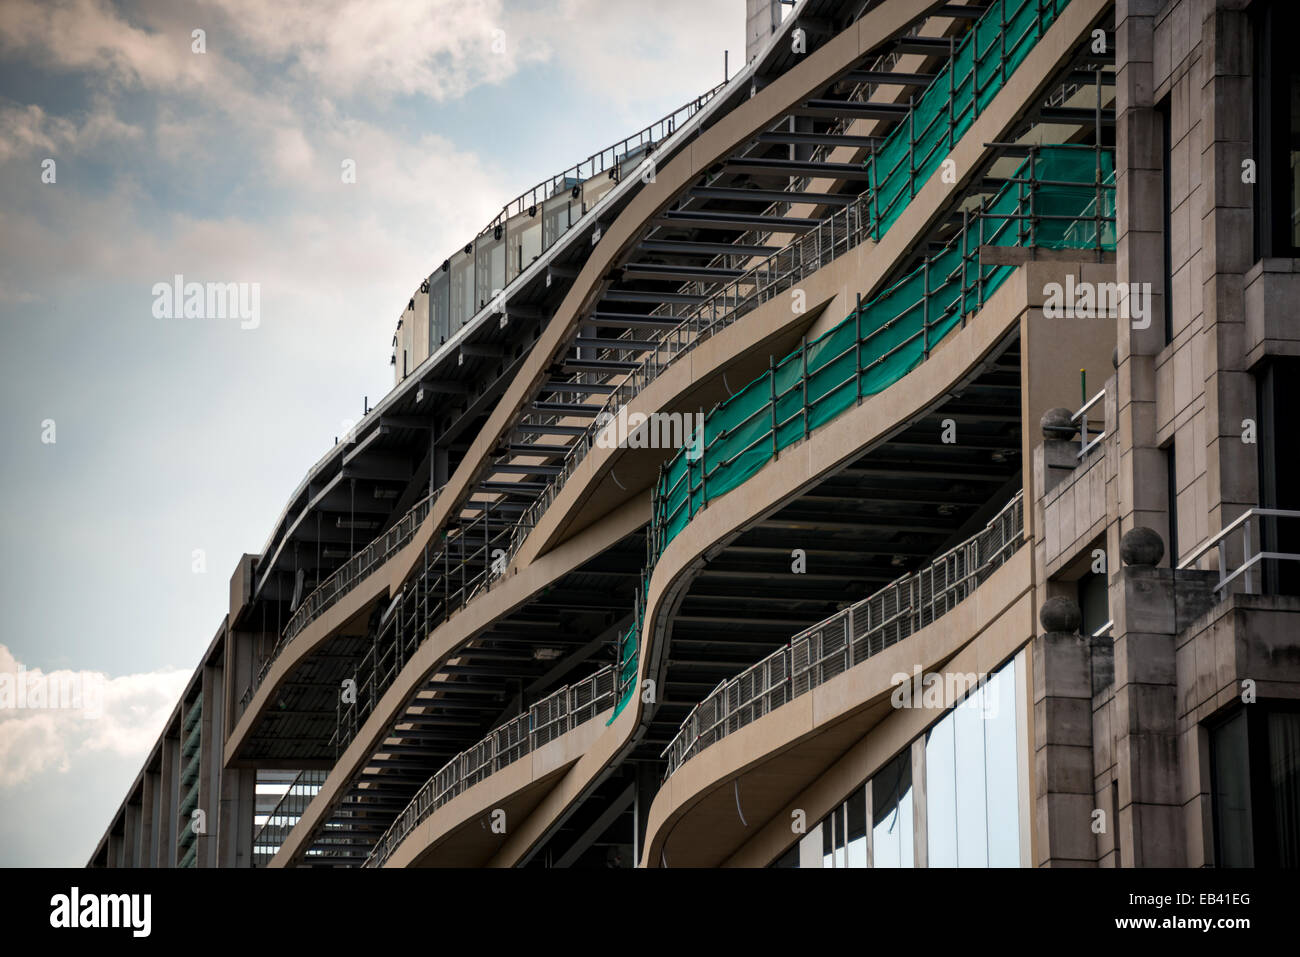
pixel 145 452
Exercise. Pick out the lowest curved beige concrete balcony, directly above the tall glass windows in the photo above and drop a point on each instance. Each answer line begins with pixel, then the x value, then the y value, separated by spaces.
pixel 731 804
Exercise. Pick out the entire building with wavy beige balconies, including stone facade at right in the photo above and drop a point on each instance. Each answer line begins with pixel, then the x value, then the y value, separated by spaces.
pixel 879 462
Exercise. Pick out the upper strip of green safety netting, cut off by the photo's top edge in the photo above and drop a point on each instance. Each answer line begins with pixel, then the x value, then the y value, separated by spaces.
pixel 974 76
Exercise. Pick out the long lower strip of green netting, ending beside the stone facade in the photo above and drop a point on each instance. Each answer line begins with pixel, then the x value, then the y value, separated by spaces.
pixel 892 334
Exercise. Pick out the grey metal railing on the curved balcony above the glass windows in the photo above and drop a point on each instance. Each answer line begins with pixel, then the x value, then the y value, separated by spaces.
pixel 850 638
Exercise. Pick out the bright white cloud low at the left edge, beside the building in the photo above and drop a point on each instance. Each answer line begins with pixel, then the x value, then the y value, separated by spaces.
pixel 97 714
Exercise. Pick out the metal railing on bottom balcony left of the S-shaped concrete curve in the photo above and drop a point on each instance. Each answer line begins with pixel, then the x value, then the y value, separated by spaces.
pixel 552 717
